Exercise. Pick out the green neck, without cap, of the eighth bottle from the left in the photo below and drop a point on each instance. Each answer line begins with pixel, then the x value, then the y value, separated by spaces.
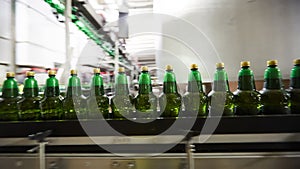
pixel 170 85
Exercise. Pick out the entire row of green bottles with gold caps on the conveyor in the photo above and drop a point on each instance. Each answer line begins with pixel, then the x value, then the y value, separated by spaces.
pixel 246 100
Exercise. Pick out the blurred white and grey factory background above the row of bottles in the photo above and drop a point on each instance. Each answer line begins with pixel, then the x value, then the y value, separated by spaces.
pixel 33 36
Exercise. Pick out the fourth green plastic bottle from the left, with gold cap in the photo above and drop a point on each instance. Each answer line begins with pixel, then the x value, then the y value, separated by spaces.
pixel 74 104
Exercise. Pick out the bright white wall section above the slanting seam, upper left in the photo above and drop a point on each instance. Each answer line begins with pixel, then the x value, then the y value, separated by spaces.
pixel 38 28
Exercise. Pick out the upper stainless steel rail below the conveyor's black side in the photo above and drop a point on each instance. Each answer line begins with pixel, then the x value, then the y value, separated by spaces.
pixel 219 138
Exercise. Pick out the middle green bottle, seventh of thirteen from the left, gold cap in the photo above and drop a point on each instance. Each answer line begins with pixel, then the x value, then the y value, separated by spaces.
pixel 145 102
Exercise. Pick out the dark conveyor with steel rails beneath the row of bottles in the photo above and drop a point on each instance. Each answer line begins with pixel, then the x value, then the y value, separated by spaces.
pixel 247 142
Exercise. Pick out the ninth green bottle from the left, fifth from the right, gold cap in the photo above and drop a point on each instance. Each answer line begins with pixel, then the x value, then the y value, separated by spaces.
pixel 195 100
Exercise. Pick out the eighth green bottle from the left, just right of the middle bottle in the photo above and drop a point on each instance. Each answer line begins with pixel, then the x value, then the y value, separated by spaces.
pixel 170 99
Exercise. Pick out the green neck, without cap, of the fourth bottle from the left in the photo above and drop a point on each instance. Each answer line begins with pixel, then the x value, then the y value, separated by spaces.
pixel 74 86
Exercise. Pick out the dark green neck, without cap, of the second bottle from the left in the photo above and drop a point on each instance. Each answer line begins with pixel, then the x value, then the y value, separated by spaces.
pixel 30 88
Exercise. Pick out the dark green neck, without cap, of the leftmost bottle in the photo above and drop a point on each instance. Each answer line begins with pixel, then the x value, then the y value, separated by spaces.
pixel 10 88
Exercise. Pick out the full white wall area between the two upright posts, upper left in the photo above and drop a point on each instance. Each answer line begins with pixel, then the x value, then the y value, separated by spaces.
pixel 40 37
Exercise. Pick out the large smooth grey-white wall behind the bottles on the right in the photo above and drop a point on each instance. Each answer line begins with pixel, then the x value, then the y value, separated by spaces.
pixel 256 30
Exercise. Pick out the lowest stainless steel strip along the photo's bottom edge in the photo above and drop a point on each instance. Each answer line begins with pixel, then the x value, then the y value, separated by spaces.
pixel 283 160
